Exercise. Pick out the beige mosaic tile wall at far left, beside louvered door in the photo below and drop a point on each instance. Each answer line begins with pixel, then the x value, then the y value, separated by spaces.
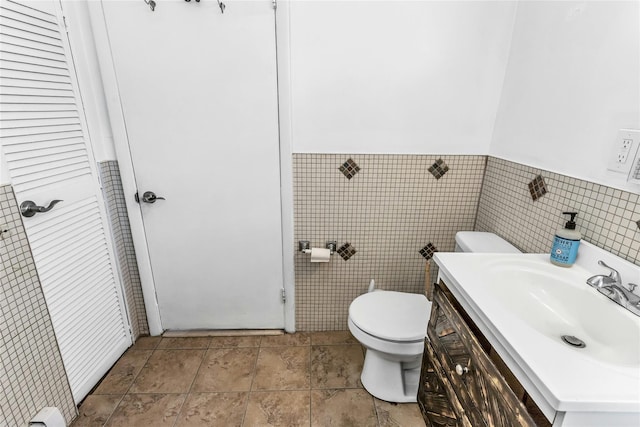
pixel 32 374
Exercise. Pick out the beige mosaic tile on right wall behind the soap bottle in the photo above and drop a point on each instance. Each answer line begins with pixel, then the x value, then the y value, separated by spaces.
pixel 607 217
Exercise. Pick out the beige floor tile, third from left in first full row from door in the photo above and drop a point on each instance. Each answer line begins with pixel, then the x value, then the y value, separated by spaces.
pixel 226 369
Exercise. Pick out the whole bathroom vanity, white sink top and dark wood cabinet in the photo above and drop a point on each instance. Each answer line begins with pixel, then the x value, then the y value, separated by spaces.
pixel 494 354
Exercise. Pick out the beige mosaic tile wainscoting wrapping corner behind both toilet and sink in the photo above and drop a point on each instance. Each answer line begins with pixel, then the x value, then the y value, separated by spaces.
pixel 388 213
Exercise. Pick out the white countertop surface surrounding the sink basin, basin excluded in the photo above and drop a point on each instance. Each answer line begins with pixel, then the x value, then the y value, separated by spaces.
pixel 568 379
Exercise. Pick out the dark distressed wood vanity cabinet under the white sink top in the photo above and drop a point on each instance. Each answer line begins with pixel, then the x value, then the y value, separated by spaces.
pixel 459 383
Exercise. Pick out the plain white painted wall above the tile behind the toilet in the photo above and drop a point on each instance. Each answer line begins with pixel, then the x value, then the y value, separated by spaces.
pixel 397 77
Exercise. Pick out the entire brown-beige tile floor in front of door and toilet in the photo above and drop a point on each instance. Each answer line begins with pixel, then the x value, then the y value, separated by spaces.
pixel 302 379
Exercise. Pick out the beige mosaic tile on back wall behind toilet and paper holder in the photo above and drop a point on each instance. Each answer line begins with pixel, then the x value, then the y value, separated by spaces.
pixel 392 210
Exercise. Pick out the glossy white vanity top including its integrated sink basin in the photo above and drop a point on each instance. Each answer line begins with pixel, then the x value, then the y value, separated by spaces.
pixel 524 305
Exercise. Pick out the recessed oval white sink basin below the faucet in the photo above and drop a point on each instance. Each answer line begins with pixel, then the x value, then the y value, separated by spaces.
pixel 556 302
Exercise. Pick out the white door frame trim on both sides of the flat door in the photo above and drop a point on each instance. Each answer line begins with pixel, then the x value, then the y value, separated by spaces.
pixel 125 161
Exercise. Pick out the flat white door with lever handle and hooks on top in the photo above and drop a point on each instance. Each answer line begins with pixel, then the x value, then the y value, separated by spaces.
pixel 199 96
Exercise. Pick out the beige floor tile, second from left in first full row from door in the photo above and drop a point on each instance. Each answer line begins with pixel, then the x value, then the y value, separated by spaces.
pixel 168 371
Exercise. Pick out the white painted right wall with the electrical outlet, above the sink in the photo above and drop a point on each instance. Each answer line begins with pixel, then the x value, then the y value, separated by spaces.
pixel 572 81
